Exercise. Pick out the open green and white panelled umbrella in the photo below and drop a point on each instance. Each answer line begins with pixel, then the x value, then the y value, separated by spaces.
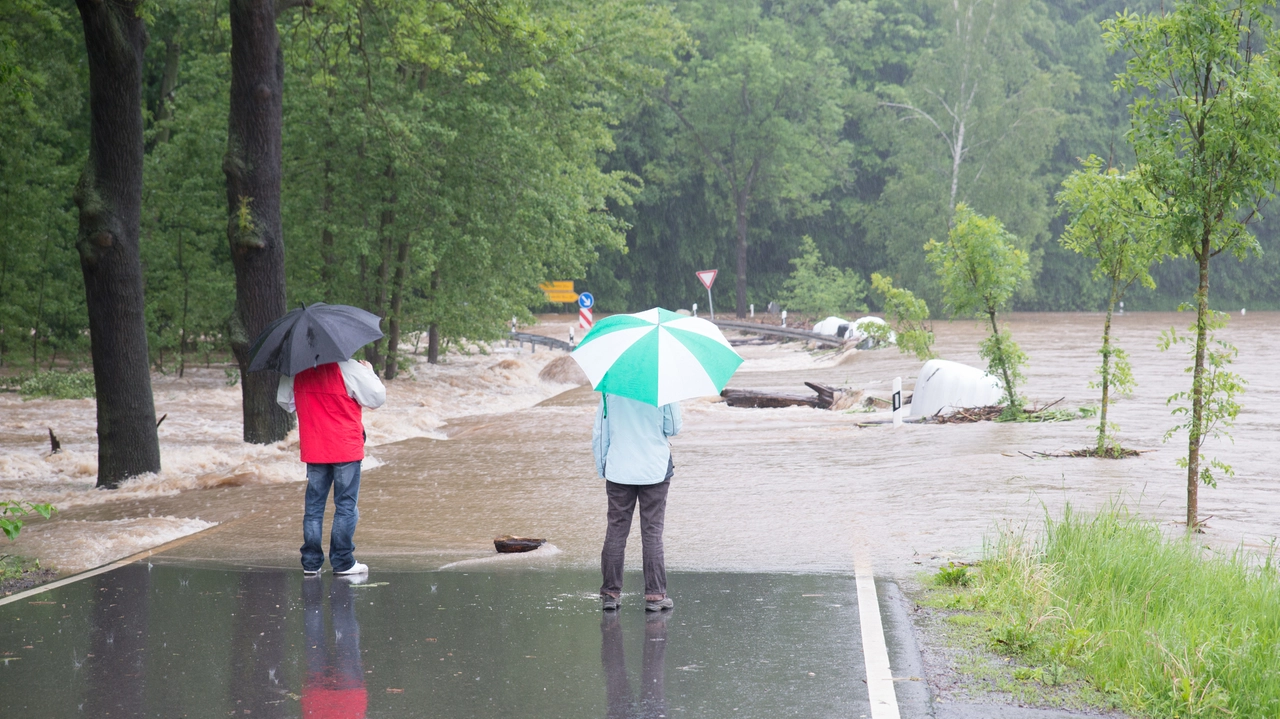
pixel 657 358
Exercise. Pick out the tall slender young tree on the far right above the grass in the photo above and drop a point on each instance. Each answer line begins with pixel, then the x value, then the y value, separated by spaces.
pixel 1206 131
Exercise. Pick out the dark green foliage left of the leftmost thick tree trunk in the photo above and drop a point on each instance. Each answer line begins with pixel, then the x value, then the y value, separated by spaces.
pixel 43 149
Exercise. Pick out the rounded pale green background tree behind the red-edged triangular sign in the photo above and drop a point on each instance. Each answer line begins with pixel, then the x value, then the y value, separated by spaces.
pixel 760 107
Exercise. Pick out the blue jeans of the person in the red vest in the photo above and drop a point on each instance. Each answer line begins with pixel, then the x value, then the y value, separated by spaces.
pixel 345 480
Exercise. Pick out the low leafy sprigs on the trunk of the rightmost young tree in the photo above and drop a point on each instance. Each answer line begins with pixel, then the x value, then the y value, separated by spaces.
pixel 1220 390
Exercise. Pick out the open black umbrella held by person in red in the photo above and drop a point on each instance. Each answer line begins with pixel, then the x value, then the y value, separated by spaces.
pixel 313 336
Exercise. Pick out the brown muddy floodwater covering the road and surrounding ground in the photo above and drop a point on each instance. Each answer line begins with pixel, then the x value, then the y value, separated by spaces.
pixel 477 448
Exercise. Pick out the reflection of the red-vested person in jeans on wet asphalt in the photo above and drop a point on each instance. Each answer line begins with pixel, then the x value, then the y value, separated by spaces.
pixel 335 688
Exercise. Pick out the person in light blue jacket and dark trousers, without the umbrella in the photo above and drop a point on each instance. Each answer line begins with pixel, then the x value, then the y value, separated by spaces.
pixel 633 455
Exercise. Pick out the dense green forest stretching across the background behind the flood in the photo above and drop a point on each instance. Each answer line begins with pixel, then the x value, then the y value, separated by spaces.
pixel 440 161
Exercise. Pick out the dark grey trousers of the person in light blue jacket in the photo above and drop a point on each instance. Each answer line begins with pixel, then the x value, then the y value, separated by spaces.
pixel 653 514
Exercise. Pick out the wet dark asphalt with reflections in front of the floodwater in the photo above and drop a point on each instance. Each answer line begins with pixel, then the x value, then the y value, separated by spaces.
pixel 179 642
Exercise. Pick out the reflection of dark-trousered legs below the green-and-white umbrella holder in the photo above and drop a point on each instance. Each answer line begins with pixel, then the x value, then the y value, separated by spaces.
pixel 618 689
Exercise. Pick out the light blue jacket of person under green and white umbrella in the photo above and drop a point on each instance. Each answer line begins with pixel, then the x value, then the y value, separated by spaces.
pixel 630 441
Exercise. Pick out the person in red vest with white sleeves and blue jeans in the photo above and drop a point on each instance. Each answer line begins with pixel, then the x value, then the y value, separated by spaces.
pixel 332 441
